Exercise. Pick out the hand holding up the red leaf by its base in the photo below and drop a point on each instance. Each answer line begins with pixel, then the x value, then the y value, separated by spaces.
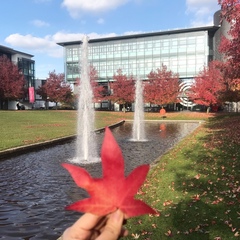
pixel 93 227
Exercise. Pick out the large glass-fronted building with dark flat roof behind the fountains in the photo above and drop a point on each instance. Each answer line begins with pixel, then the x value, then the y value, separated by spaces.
pixel 183 51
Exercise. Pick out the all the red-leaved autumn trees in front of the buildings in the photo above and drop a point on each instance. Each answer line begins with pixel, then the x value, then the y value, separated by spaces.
pixel 217 83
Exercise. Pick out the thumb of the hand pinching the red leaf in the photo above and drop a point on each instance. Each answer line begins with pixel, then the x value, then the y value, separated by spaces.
pixel 113 227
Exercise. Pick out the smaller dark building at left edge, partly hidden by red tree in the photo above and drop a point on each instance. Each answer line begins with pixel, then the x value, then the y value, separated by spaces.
pixel 27 66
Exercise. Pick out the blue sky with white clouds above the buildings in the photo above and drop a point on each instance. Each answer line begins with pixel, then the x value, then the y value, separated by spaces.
pixel 35 26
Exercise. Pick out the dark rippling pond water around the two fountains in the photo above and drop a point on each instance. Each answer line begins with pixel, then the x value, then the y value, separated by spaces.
pixel 34 188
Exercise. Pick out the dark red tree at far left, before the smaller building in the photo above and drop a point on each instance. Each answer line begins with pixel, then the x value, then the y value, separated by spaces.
pixel 11 81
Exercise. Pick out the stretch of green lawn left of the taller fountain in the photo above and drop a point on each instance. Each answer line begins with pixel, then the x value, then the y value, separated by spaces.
pixel 24 127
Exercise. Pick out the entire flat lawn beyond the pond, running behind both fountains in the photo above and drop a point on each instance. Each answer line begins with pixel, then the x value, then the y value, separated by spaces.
pixel 25 127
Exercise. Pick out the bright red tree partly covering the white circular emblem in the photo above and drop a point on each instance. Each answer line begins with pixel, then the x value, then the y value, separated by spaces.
pixel 208 86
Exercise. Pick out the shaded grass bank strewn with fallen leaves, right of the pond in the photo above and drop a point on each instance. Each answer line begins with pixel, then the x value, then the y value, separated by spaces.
pixel 195 187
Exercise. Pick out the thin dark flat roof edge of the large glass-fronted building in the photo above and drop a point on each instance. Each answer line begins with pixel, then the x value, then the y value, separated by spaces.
pixel 149 34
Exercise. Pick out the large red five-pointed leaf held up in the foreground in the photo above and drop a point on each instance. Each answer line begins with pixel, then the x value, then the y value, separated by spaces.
pixel 114 190
